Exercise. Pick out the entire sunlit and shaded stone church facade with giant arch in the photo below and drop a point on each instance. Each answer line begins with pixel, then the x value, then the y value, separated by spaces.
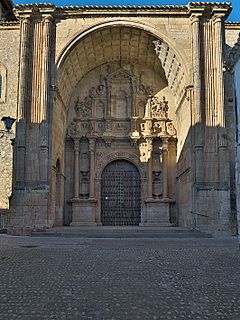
pixel 124 116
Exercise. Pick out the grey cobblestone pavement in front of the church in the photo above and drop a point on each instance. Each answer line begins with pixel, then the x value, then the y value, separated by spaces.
pixel 74 278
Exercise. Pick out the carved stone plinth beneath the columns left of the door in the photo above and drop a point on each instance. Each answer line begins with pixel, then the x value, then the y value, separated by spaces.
pixel 83 212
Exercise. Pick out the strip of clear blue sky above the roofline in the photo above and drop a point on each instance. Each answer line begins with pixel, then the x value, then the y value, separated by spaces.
pixel 235 15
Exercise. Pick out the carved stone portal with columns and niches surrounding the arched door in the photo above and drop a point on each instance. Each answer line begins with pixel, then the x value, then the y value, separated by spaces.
pixel 102 123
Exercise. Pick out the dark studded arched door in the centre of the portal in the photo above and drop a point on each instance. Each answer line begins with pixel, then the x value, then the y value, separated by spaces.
pixel 121 194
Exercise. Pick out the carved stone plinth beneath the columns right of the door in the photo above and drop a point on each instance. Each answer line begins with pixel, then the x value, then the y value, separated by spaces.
pixel 157 213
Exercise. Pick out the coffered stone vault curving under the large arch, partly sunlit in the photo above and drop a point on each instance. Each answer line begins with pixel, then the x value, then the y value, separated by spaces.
pixel 119 41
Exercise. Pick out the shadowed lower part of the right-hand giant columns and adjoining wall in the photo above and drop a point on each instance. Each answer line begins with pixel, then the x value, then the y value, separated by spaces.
pixel 206 194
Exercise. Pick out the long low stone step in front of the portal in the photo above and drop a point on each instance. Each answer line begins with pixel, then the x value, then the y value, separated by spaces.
pixel 122 232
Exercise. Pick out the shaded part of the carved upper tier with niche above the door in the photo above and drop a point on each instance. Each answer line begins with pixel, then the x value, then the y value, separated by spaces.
pixel 108 107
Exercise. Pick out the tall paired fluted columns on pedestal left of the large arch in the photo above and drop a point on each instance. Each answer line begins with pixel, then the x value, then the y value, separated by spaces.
pixel 30 204
